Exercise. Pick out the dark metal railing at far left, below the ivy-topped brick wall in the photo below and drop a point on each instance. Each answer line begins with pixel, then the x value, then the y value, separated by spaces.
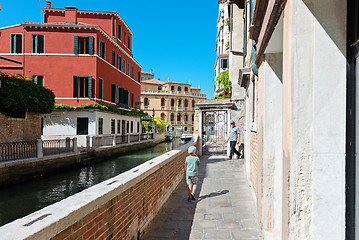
pixel 18 150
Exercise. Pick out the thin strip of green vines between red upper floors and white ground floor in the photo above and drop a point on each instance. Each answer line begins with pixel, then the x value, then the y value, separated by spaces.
pixel 101 106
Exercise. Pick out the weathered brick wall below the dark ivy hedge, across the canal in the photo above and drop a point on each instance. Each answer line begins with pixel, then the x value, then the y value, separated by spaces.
pixel 20 129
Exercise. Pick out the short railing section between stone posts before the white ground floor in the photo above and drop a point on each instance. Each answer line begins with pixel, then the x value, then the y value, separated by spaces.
pixel 58 146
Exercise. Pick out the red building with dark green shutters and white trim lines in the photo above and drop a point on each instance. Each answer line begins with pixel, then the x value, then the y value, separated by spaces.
pixel 83 56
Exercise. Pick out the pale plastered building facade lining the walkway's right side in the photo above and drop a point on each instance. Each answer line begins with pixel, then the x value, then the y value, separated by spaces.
pixel 298 73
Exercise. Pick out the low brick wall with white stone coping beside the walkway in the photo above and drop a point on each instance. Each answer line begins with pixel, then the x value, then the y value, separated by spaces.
pixel 119 211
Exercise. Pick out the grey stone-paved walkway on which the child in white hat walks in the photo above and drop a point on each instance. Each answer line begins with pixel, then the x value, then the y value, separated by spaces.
pixel 224 208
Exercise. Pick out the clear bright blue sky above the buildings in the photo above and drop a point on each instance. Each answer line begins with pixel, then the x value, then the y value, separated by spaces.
pixel 175 38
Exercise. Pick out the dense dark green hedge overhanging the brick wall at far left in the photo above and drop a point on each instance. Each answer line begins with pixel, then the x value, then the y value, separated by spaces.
pixel 18 94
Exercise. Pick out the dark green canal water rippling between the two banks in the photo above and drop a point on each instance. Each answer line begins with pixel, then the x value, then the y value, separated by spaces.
pixel 20 200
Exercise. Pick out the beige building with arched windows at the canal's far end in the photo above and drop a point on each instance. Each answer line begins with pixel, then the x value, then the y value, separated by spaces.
pixel 173 102
